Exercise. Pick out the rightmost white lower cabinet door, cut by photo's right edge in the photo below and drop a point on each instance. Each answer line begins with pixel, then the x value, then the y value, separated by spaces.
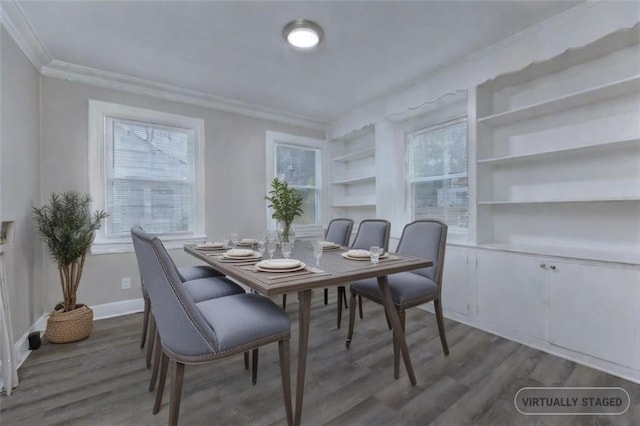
pixel 596 310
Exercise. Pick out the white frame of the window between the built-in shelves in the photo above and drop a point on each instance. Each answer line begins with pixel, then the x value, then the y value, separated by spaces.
pixel 455 234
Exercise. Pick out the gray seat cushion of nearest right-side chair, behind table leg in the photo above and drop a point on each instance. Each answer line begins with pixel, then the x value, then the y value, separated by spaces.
pixel 405 287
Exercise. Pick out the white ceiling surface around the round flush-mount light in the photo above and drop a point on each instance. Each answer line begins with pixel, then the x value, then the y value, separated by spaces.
pixel 235 50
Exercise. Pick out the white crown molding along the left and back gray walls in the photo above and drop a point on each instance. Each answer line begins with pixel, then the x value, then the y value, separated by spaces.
pixel 14 20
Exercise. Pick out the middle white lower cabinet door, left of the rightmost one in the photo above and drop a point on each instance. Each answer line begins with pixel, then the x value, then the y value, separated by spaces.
pixel 512 294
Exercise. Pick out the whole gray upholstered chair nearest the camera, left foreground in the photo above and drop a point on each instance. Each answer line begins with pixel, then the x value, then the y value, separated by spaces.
pixel 194 332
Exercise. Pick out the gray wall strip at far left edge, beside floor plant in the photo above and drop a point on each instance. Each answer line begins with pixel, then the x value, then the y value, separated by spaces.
pixel 20 181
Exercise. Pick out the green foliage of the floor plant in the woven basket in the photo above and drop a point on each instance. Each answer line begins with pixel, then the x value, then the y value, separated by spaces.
pixel 68 228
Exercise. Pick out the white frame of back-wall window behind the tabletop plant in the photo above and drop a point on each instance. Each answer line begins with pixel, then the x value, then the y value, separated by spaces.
pixel 273 140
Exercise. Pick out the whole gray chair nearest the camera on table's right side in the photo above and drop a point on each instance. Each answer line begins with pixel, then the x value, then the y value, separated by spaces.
pixel 422 238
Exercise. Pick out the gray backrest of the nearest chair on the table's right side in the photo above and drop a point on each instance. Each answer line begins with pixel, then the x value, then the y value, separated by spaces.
pixel 427 239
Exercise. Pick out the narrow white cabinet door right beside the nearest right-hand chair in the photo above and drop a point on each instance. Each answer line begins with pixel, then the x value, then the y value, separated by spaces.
pixel 455 281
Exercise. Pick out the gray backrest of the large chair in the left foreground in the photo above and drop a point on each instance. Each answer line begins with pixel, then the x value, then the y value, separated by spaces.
pixel 183 330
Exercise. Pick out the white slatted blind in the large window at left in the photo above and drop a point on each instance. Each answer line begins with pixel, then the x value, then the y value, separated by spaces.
pixel 150 177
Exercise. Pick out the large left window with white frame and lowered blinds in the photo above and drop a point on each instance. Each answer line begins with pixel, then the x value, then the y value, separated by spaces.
pixel 146 170
